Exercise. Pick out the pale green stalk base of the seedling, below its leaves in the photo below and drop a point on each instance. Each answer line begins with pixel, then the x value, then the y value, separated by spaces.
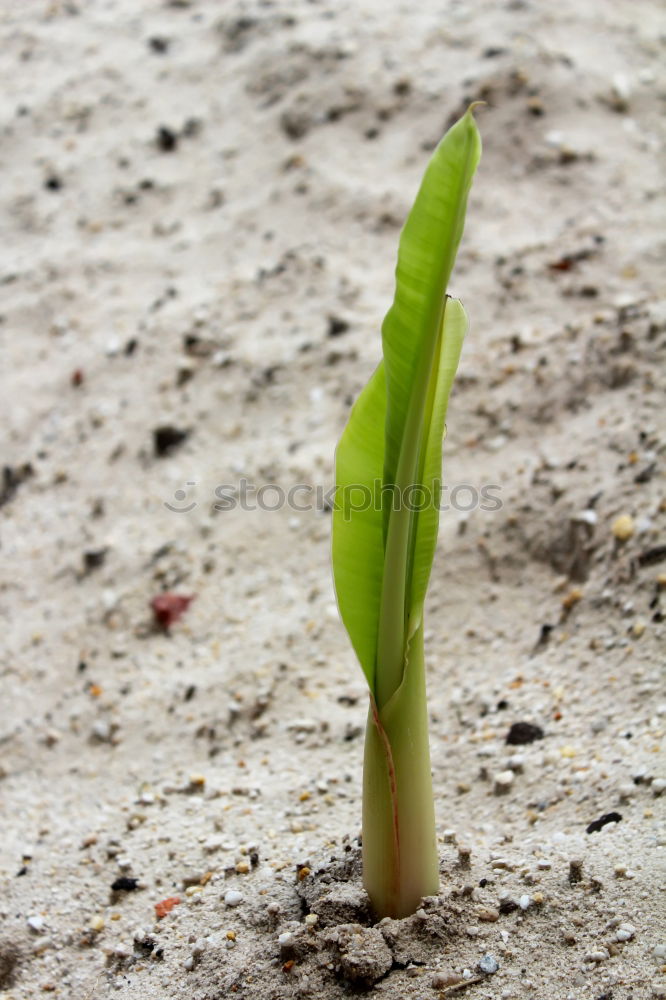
pixel 400 861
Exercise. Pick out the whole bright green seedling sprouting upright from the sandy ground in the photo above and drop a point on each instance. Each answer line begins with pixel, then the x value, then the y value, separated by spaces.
pixel 385 522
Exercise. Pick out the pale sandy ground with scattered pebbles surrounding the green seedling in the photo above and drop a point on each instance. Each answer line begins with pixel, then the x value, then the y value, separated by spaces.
pixel 201 204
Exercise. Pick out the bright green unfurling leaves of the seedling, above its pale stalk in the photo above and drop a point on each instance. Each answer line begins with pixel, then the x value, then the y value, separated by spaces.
pixel 382 551
